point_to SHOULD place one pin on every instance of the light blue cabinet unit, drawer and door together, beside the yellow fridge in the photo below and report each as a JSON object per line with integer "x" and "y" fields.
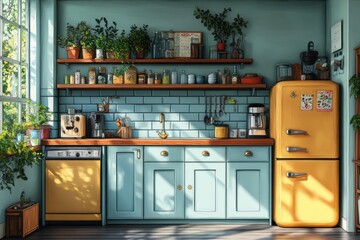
{"x": 248, "y": 182}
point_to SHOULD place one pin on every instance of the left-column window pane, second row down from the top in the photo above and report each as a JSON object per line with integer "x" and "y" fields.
{"x": 10, "y": 41}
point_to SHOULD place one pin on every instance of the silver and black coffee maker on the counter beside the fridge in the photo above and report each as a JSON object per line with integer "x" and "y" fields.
{"x": 256, "y": 121}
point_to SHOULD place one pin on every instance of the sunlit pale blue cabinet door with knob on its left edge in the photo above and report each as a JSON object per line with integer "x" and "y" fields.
{"x": 205, "y": 190}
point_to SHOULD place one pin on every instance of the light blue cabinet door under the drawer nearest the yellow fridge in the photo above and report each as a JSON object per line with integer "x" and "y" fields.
{"x": 248, "y": 191}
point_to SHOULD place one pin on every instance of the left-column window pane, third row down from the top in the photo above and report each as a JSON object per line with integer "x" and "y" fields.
{"x": 10, "y": 79}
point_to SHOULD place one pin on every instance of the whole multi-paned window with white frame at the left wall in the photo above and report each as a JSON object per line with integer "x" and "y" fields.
{"x": 14, "y": 60}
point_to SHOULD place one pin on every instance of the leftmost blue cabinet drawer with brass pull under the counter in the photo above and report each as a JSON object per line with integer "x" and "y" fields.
{"x": 163, "y": 154}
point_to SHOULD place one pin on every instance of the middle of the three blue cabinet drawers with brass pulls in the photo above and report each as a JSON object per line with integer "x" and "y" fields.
{"x": 204, "y": 154}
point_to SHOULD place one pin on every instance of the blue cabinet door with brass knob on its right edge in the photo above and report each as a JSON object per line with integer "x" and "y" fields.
{"x": 164, "y": 193}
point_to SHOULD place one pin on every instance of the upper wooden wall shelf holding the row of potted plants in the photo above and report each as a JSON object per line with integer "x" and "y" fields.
{"x": 156, "y": 61}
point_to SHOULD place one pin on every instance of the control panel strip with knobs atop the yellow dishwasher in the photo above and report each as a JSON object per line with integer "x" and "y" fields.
{"x": 73, "y": 153}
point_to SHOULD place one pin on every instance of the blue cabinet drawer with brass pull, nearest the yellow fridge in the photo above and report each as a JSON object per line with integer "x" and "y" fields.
{"x": 248, "y": 153}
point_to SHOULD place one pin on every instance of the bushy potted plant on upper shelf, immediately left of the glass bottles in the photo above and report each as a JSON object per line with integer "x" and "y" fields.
{"x": 140, "y": 40}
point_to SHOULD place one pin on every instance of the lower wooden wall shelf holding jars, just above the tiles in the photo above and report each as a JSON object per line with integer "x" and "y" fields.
{"x": 162, "y": 86}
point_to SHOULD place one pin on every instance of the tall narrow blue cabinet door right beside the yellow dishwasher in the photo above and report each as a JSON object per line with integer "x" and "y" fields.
{"x": 125, "y": 182}
